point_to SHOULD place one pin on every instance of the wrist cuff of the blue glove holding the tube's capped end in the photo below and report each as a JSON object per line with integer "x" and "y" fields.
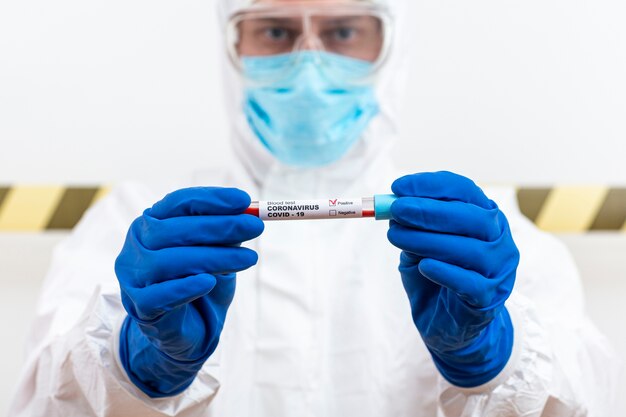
{"x": 482, "y": 360}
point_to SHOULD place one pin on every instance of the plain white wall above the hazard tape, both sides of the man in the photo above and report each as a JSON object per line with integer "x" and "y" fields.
{"x": 525, "y": 92}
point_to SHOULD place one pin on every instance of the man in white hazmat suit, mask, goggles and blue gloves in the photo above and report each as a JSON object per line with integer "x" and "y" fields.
{"x": 196, "y": 316}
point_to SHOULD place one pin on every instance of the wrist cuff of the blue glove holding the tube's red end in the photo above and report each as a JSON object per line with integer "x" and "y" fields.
{"x": 152, "y": 371}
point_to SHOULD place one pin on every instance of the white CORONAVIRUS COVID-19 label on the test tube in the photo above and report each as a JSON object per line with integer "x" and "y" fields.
{"x": 338, "y": 208}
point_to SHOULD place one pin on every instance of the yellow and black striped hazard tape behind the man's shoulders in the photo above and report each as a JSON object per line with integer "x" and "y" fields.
{"x": 559, "y": 209}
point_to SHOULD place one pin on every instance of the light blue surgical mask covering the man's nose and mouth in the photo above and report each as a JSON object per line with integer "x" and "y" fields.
{"x": 312, "y": 114}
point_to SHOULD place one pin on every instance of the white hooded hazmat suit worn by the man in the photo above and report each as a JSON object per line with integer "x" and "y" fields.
{"x": 321, "y": 326}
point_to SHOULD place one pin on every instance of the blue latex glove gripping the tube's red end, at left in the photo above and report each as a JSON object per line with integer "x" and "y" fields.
{"x": 177, "y": 277}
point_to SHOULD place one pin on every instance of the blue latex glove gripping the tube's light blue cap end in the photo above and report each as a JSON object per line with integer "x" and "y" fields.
{"x": 458, "y": 267}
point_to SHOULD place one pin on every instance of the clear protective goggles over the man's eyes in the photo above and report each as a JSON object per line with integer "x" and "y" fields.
{"x": 358, "y": 31}
